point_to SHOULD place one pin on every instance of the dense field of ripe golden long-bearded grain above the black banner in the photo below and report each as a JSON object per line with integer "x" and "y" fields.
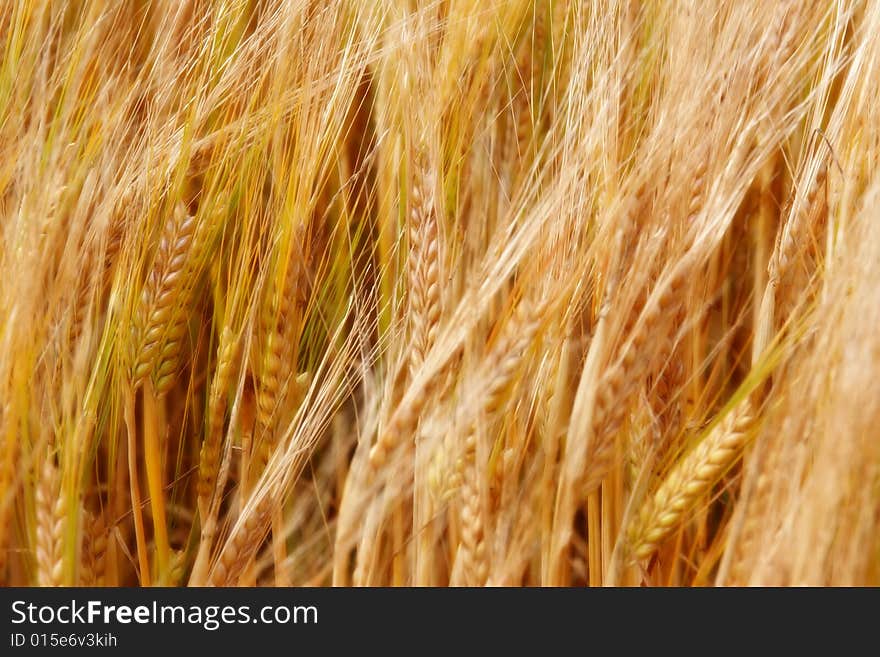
{"x": 439, "y": 292}
